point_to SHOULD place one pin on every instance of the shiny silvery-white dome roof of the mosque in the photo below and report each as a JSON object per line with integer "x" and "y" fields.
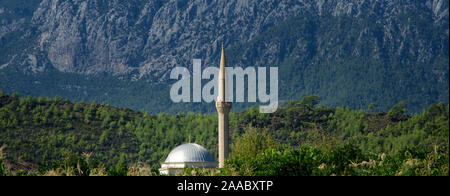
{"x": 189, "y": 152}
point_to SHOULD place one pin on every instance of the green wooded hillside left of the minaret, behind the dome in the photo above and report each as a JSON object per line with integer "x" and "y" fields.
{"x": 37, "y": 131}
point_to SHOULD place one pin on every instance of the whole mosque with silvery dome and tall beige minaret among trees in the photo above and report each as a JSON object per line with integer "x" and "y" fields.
{"x": 194, "y": 155}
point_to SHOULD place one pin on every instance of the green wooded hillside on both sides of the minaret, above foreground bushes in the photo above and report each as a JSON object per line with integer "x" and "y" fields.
{"x": 39, "y": 133}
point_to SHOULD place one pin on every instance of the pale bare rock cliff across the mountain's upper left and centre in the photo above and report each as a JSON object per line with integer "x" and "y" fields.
{"x": 148, "y": 38}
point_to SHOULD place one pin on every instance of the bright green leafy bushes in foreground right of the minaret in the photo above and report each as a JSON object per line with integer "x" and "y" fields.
{"x": 347, "y": 159}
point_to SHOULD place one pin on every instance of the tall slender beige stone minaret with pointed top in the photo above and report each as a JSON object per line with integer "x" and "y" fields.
{"x": 223, "y": 109}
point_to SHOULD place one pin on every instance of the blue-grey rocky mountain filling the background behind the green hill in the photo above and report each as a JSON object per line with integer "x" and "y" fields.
{"x": 121, "y": 52}
